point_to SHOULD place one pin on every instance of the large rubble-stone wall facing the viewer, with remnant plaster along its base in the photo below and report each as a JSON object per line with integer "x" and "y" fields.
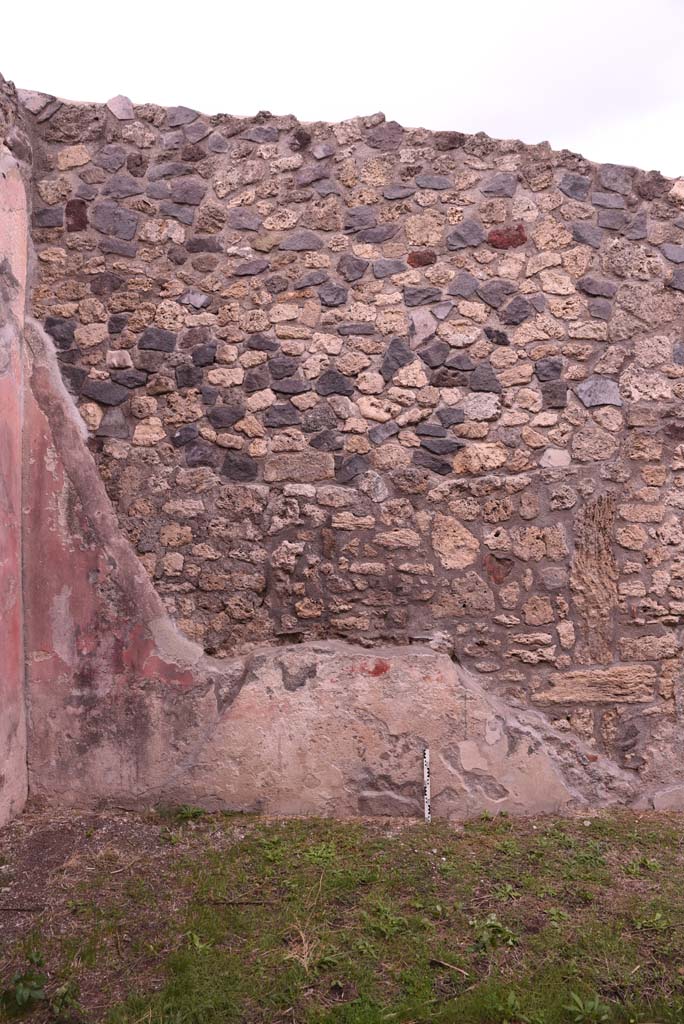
{"x": 363, "y": 386}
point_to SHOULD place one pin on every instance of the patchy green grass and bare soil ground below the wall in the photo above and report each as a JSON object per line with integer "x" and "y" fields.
{"x": 191, "y": 918}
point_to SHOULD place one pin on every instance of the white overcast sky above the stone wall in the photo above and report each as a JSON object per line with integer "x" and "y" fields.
{"x": 605, "y": 78}
